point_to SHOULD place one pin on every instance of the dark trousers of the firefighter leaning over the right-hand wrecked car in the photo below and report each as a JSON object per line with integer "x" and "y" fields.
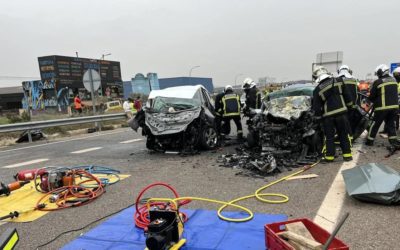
{"x": 332, "y": 125}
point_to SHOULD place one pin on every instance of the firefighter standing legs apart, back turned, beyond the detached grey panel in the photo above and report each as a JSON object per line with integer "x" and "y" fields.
{"x": 384, "y": 95}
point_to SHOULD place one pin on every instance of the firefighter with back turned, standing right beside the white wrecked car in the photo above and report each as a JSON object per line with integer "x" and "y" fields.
{"x": 231, "y": 109}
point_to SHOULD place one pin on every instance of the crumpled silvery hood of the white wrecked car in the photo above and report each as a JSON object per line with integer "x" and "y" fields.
{"x": 170, "y": 122}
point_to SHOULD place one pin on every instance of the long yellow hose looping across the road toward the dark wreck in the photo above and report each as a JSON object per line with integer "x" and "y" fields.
{"x": 258, "y": 195}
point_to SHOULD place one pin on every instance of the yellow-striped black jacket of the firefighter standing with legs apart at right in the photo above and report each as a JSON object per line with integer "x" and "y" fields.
{"x": 384, "y": 94}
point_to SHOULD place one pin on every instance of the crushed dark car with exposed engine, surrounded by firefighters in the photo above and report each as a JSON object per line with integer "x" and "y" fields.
{"x": 286, "y": 127}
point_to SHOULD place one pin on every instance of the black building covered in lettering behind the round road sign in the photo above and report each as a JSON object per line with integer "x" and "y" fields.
{"x": 67, "y": 72}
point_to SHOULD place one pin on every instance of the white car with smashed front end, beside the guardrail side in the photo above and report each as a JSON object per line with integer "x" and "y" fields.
{"x": 178, "y": 119}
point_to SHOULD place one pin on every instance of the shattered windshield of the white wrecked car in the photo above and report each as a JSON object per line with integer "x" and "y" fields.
{"x": 171, "y": 104}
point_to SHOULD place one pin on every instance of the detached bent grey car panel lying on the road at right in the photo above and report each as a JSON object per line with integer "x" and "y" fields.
{"x": 373, "y": 183}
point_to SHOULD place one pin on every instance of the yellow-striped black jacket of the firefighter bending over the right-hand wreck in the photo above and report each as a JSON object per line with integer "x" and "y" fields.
{"x": 330, "y": 98}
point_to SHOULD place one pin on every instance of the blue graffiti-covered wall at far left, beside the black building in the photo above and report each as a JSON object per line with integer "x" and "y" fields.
{"x": 40, "y": 95}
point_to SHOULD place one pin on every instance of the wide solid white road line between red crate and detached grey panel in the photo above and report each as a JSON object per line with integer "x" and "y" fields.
{"x": 328, "y": 213}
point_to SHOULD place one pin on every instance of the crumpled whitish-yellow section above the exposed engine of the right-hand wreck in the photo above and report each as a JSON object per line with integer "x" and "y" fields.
{"x": 288, "y": 108}
